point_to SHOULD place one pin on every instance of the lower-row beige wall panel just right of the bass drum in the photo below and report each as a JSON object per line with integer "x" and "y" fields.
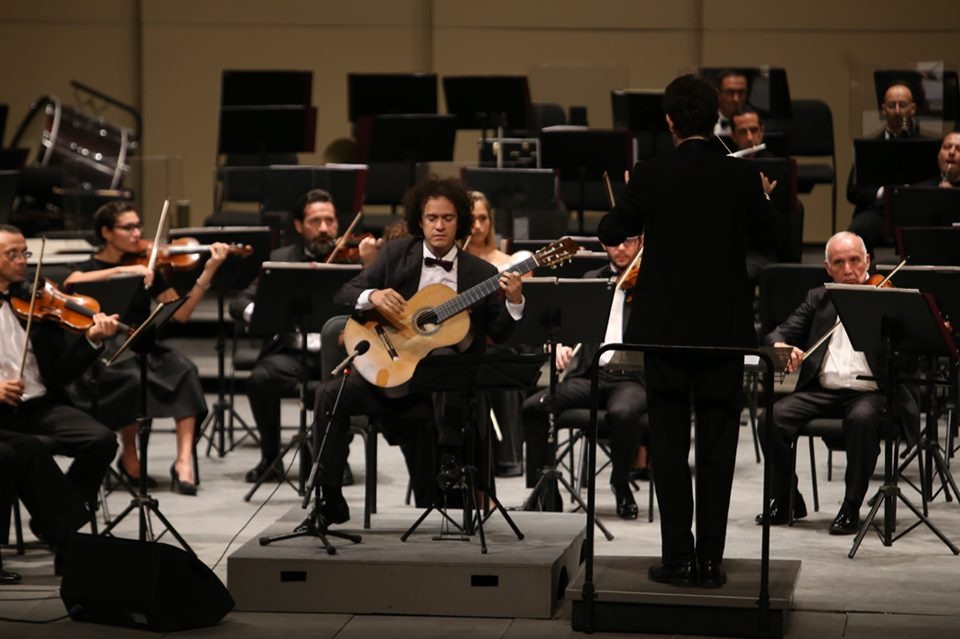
{"x": 182, "y": 67}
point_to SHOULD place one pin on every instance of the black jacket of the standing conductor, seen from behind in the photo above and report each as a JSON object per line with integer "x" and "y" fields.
{"x": 700, "y": 211}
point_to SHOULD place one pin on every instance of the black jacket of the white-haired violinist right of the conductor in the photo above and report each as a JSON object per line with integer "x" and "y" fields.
{"x": 812, "y": 319}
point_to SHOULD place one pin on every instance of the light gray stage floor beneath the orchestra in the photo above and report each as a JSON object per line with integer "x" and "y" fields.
{"x": 909, "y": 589}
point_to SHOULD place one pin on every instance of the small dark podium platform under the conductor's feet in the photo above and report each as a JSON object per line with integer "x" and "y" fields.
{"x": 627, "y": 601}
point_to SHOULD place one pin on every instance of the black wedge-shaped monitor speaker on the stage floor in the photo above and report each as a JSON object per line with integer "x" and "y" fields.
{"x": 152, "y": 586}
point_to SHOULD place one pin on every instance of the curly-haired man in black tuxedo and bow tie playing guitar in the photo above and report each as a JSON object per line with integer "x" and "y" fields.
{"x": 437, "y": 213}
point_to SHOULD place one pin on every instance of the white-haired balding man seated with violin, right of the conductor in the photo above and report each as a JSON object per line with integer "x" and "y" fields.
{"x": 828, "y": 387}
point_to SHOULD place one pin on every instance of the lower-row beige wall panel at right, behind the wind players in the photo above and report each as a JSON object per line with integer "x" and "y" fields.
{"x": 820, "y": 65}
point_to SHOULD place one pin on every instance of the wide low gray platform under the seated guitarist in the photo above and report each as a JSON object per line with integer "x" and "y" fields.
{"x": 422, "y": 576}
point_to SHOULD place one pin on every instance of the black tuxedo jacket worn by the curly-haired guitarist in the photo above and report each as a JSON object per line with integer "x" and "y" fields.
{"x": 398, "y": 266}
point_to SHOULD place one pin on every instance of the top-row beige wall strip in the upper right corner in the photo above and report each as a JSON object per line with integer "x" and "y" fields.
{"x": 832, "y": 15}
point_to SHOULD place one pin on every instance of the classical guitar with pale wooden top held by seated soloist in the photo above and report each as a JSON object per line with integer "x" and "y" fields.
{"x": 435, "y": 317}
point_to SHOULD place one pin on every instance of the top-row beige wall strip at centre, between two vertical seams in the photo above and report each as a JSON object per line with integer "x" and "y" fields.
{"x": 566, "y": 14}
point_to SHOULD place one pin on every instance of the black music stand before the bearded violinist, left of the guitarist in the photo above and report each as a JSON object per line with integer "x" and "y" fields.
{"x": 296, "y": 297}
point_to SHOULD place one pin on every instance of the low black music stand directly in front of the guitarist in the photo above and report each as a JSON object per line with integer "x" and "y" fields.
{"x": 467, "y": 374}
